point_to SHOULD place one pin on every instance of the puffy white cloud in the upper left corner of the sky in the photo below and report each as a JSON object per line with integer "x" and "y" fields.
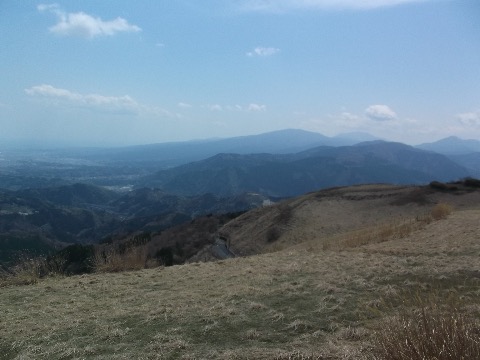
{"x": 84, "y": 25}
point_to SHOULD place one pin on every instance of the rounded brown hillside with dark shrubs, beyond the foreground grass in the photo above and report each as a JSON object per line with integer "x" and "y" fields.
{"x": 318, "y": 216}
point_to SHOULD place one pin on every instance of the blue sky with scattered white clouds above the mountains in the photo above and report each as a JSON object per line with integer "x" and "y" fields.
{"x": 134, "y": 72}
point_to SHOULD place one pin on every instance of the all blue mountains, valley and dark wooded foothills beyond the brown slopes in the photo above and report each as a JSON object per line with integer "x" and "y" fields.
{"x": 53, "y": 197}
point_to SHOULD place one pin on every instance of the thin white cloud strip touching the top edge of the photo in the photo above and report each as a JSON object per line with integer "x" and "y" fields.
{"x": 286, "y": 5}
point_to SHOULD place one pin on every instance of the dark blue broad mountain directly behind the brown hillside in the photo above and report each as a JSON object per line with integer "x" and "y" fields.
{"x": 284, "y": 175}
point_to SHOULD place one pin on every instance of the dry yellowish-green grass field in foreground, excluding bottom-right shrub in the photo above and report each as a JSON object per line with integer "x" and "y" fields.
{"x": 308, "y": 302}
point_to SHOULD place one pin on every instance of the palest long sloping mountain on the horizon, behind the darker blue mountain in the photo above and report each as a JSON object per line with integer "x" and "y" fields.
{"x": 164, "y": 155}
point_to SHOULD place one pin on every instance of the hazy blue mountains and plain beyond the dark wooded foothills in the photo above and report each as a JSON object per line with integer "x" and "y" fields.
{"x": 280, "y": 163}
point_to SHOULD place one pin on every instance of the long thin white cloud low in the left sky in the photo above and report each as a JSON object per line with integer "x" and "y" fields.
{"x": 115, "y": 104}
